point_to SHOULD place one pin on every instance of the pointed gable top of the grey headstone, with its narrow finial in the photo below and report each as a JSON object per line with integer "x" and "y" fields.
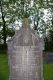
{"x": 25, "y": 36}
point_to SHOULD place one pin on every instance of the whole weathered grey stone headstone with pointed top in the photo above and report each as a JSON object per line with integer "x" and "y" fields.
{"x": 25, "y": 55}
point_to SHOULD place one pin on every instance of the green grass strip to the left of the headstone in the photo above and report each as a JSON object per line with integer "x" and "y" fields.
{"x": 3, "y": 67}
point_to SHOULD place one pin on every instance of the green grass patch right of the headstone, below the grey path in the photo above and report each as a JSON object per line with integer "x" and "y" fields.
{"x": 48, "y": 71}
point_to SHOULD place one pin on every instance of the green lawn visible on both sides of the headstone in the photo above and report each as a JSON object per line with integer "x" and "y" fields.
{"x": 4, "y": 68}
